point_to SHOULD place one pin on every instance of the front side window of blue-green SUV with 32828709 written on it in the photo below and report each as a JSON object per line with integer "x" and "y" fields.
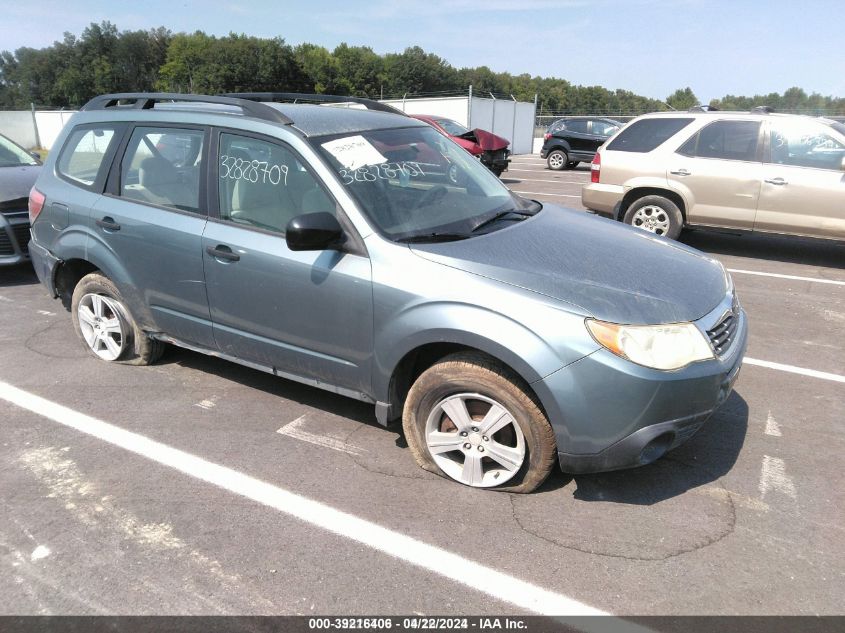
{"x": 263, "y": 185}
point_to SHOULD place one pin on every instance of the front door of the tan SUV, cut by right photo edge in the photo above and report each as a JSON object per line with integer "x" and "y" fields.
{"x": 803, "y": 184}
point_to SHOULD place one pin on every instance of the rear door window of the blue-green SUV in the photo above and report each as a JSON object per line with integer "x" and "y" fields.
{"x": 162, "y": 166}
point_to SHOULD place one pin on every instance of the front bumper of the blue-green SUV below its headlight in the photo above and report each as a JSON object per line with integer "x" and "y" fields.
{"x": 609, "y": 413}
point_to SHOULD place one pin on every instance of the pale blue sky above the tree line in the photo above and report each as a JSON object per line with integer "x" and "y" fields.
{"x": 651, "y": 47}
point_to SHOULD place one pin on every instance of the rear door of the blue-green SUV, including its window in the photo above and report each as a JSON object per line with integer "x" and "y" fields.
{"x": 148, "y": 229}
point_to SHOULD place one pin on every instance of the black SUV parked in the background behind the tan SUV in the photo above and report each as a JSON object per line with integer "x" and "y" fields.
{"x": 571, "y": 140}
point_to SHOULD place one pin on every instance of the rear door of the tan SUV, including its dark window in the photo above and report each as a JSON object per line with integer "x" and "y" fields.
{"x": 718, "y": 172}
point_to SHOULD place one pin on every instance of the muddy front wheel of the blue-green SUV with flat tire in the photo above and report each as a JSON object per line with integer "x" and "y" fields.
{"x": 468, "y": 419}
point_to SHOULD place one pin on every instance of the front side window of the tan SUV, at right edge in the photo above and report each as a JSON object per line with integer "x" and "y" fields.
{"x": 803, "y": 144}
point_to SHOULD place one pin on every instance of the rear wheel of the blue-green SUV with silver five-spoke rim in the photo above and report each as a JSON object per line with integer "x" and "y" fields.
{"x": 103, "y": 322}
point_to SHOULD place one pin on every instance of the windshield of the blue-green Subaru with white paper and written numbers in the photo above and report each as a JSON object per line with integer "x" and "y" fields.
{"x": 414, "y": 183}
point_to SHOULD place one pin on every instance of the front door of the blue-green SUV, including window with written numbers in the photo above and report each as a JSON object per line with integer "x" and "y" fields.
{"x": 305, "y": 314}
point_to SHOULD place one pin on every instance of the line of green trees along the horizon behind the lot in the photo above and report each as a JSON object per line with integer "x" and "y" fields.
{"x": 105, "y": 60}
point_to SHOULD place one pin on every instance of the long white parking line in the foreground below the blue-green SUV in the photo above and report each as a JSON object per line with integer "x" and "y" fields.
{"x": 475, "y": 576}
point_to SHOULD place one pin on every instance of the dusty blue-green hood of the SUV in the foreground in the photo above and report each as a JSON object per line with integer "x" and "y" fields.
{"x": 602, "y": 268}
